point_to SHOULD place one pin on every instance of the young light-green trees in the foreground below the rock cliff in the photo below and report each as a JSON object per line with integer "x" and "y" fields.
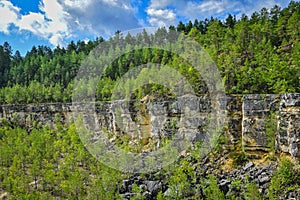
{"x": 52, "y": 163}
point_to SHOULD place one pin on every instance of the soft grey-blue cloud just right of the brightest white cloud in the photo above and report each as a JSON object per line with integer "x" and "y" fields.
{"x": 101, "y": 17}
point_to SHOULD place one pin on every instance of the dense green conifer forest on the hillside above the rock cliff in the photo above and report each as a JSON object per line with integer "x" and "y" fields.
{"x": 256, "y": 54}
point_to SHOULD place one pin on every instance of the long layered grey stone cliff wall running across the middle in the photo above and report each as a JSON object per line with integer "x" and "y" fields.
{"x": 245, "y": 117}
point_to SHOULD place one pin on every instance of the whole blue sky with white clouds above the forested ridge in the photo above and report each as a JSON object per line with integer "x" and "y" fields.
{"x": 24, "y": 23}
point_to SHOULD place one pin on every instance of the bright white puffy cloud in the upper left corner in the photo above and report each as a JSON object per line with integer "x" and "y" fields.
{"x": 50, "y": 23}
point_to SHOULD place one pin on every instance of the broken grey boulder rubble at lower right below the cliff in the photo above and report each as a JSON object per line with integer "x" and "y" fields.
{"x": 232, "y": 183}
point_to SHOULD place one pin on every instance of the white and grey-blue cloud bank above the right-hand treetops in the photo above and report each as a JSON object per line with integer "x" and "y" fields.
{"x": 201, "y": 9}
